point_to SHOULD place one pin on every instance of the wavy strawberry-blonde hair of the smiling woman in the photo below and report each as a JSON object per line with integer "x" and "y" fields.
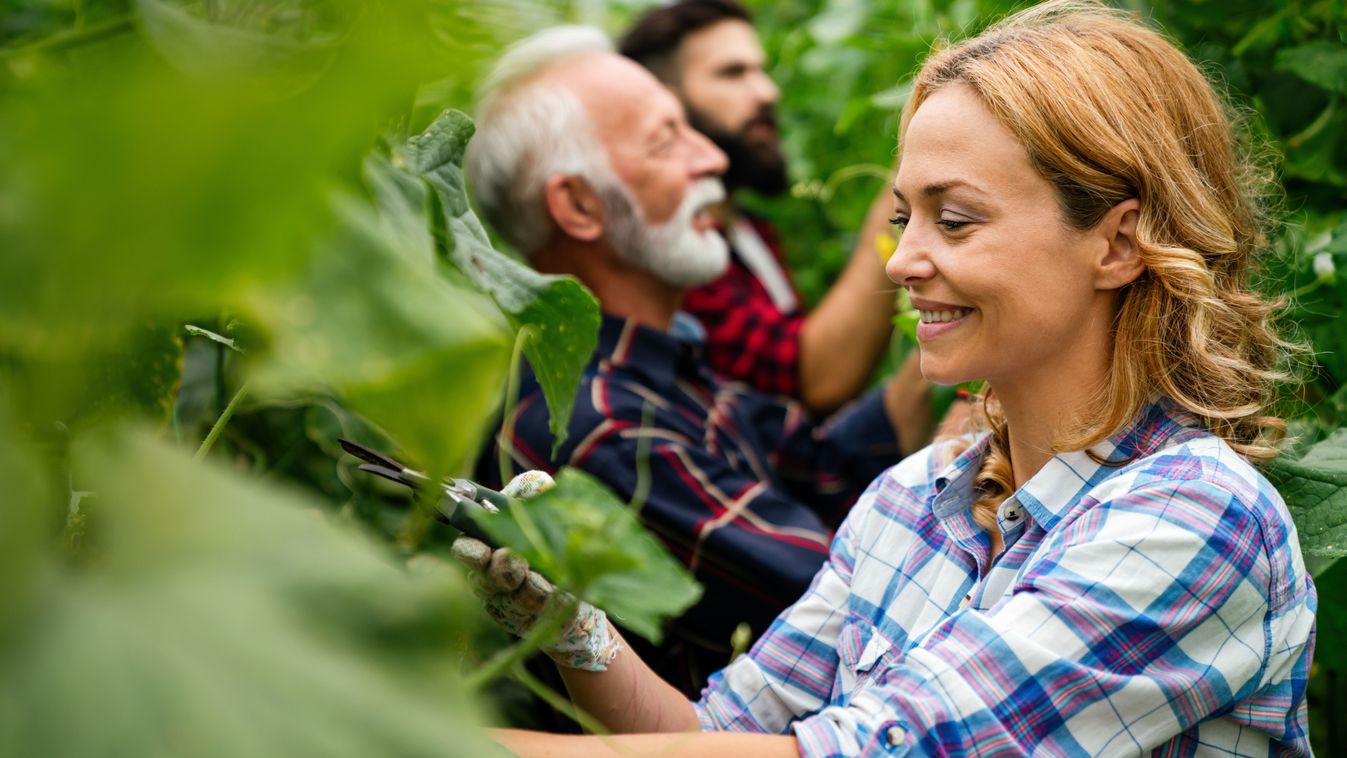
{"x": 1109, "y": 110}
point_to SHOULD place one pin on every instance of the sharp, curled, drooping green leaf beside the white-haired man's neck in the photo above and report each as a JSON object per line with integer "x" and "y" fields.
{"x": 564, "y": 316}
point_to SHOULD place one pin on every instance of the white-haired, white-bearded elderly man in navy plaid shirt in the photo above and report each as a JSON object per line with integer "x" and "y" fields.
{"x": 589, "y": 168}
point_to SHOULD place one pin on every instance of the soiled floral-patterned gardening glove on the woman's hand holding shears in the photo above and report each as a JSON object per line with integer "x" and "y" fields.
{"x": 515, "y": 597}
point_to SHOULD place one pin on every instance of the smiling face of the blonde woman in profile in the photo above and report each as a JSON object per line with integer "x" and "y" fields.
{"x": 1007, "y": 291}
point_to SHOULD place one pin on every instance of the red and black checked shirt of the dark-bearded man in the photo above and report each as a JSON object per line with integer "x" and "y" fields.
{"x": 748, "y": 339}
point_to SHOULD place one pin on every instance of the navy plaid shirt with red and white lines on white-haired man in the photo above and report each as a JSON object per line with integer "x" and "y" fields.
{"x": 744, "y": 488}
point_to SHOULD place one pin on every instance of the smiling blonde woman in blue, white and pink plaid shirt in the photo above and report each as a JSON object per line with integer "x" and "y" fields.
{"x": 1104, "y": 570}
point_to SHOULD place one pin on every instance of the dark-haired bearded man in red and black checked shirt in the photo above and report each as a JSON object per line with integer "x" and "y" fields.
{"x": 708, "y": 55}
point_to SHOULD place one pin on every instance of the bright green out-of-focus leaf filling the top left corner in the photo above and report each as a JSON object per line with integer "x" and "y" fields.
{"x": 161, "y": 170}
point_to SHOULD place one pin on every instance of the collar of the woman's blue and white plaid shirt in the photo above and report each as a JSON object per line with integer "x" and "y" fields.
{"x": 1067, "y": 476}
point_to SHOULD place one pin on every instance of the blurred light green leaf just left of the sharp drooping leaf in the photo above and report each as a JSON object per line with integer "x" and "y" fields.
{"x": 393, "y": 340}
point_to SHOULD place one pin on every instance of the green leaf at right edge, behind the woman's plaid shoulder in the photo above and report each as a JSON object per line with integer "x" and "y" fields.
{"x": 1315, "y": 489}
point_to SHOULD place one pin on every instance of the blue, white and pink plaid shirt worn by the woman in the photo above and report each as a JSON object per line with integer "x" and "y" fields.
{"x": 1158, "y": 607}
